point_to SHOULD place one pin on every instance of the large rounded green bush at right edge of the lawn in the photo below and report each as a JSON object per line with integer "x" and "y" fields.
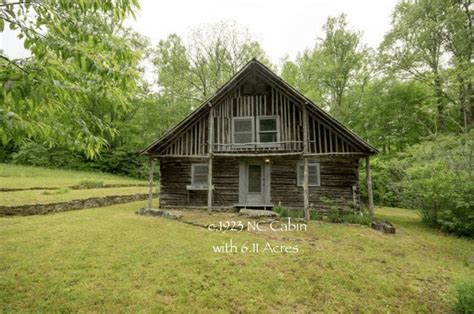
{"x": 438, "y": 182}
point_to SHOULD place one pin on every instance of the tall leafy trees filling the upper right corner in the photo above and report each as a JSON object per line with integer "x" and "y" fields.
{"x": 443, "y": 32}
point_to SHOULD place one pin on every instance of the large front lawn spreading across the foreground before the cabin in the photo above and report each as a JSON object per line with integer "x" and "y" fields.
{"x": 110, "y": 259}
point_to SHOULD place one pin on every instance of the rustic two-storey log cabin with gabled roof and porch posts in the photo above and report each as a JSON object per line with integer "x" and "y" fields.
{"x": 258, "y": 142}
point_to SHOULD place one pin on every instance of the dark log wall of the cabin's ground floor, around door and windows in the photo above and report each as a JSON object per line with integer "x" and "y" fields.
{"x": 338, "y": 176}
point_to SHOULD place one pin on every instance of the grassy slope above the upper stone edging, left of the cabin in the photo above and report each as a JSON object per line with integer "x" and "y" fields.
{"x": 16, "y": 176}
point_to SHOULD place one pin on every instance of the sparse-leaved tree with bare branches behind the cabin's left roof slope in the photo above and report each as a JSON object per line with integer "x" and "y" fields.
{"x": 194, "y": 71}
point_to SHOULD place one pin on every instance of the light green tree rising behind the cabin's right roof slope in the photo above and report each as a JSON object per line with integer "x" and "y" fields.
{"x": 336, "y": 66}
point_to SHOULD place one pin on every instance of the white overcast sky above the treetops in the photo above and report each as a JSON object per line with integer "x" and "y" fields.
{"x": 282, "y": 27}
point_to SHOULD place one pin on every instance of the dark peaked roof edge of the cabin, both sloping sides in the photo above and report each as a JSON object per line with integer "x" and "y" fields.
{"x": 256, "y": 65}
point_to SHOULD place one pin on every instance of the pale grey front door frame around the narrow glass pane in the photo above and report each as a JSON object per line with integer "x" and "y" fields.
{"x": 243, "y": 181}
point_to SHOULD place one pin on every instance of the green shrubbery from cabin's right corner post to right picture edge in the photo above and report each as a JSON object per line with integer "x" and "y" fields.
{"x": 434, "y": 177}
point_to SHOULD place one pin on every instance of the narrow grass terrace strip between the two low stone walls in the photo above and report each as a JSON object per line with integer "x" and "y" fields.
{"x": 61, "y": 195}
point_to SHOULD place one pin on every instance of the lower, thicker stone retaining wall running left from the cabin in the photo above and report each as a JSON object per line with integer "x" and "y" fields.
{"x": 41, "y": 209}
